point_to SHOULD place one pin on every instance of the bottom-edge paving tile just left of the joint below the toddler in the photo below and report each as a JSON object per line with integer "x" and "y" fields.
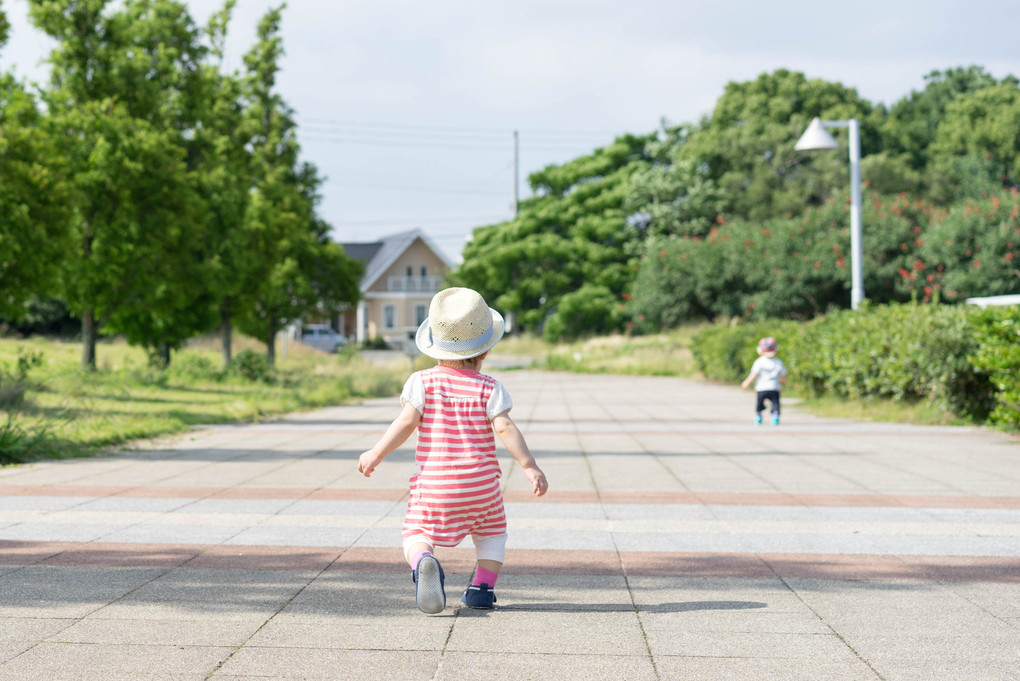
{"x": 331, "y": 664}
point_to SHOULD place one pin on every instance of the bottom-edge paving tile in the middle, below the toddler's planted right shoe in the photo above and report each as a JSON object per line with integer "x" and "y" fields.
{"x": 514, "y": 667}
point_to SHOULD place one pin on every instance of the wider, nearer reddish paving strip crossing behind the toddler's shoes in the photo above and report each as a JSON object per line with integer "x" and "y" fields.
{"x": 522, "y": 562}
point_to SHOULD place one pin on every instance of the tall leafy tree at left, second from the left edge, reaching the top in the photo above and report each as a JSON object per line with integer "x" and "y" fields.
{"x": 123, "y": 94}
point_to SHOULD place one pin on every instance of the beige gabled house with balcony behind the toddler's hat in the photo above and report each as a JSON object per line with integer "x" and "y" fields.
{"x": 402, "y": 274}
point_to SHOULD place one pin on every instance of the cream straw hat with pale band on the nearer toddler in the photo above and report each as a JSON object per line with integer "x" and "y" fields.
{"x": 460, "y": 327}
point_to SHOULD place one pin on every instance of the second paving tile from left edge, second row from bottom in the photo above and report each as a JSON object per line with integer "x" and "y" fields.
{"x": 201, "y": 633}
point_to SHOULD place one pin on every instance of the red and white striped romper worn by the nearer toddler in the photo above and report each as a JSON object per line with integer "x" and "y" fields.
{"x": 455, "y": 490}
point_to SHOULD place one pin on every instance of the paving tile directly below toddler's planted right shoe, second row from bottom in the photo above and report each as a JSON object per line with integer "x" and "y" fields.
{"x": 548, "y": 633}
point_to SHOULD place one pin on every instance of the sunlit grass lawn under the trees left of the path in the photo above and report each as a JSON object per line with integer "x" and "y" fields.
{"x": 52, "y": 407}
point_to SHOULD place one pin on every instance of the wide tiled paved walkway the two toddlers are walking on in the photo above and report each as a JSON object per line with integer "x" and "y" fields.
{"x": 679, "y": 542}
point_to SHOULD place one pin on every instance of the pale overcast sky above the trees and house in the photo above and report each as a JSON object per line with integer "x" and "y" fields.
{"x": 410, "y": 108}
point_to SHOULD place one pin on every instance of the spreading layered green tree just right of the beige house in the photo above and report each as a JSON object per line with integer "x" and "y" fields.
{"x": 572, "y": 234}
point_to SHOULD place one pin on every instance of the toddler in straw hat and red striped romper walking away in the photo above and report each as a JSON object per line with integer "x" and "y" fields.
{"x": 455, "y": 488}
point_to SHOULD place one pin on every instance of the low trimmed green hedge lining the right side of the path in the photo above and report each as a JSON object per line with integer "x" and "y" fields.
{"x": 961, "y": 359}
